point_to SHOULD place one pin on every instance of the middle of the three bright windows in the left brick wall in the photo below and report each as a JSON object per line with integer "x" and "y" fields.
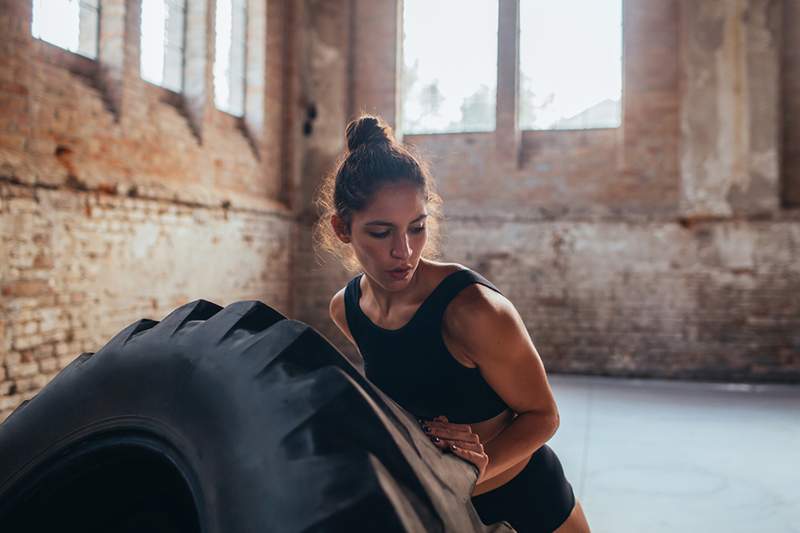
{"x": 162, "y": 42}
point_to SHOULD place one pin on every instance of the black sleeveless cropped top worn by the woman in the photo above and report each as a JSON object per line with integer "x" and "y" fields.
{"x": 412, "y": 364}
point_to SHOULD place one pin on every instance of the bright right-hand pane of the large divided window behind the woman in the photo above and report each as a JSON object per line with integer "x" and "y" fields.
{"x": 570, "y": 64}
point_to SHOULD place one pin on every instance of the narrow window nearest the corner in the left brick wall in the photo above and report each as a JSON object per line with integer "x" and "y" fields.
{"x": 229, "y": 77}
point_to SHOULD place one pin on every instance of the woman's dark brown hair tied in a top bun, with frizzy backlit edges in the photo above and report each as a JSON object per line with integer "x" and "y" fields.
{"x": 373, "y": 159}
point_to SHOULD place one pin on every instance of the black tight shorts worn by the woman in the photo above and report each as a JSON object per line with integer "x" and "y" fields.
{"x": 537, "y": 500}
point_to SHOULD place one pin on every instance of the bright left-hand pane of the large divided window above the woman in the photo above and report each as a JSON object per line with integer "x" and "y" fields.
{"x": 449, "y": 65}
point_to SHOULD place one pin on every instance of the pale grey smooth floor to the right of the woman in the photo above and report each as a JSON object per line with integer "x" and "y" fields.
{"x": 657, "y": 456}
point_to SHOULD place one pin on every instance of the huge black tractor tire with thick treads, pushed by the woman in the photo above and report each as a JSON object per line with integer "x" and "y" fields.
{"x": 224, "y": 420}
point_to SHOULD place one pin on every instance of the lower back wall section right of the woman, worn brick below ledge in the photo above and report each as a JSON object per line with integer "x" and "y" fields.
{"x": 716, "y": 301}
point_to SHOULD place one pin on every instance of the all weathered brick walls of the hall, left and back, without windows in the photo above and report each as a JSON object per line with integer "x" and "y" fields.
{"x": 668, "y": 247}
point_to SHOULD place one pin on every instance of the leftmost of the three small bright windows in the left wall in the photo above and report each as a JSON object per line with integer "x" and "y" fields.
{"x": 69, "y": 24}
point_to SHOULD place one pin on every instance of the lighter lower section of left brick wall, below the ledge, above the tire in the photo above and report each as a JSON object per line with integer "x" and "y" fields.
{"x": 81, "y": 266}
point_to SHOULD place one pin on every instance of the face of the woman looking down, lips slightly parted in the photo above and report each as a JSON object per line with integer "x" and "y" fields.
{"x": 390, "y": 233}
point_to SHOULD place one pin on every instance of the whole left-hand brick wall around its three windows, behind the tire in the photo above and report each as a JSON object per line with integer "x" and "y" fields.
{"x": 120, "y": 200}
